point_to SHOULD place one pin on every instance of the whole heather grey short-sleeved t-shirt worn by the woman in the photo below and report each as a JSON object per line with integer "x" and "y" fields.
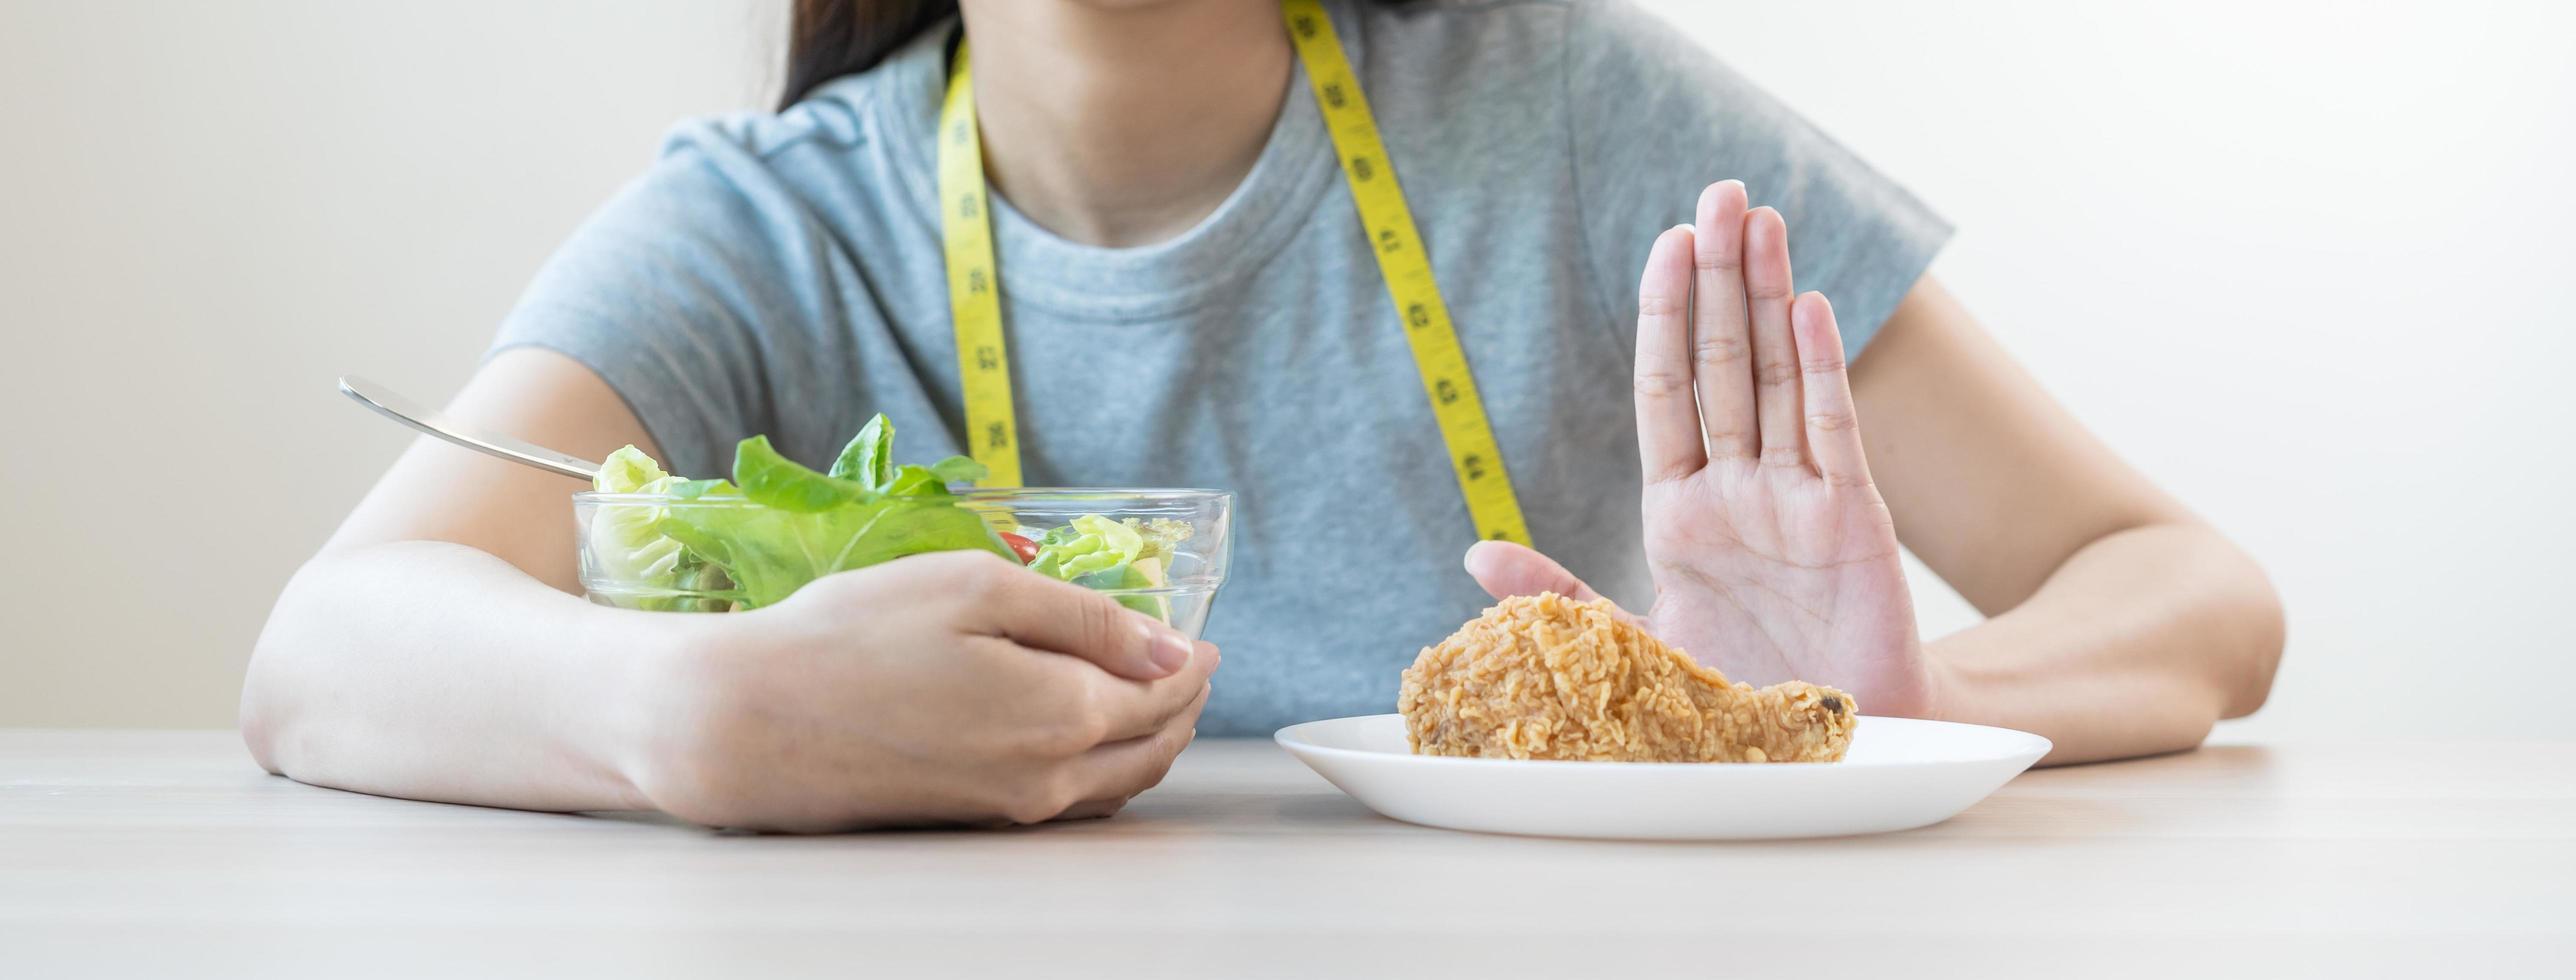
{"x": 782, "y": 275}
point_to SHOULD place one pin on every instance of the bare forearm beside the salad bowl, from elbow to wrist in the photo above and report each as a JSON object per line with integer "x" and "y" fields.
{"x": 437, "y": 672}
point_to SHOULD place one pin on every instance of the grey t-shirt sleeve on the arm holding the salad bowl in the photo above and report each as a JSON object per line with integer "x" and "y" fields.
{"x": 674, "y": 295}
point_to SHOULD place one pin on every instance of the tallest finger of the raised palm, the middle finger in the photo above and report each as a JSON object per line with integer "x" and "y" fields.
{"x": 1722, "y": 337}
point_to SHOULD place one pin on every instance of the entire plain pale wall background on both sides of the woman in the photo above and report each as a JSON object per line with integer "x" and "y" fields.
{"x": 2307, "y": 264}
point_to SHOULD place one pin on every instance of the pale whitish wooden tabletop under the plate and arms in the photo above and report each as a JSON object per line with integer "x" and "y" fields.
{"x": 174, "y": 855}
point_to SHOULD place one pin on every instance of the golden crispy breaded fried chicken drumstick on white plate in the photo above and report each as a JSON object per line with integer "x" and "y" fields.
{"x": 1547, "y": 677}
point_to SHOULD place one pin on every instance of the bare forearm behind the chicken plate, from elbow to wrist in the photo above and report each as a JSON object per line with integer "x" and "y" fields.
{"x": 2134, "y": 646}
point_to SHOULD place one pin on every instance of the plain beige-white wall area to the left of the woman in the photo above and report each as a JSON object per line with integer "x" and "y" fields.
{"x": 213, "y": 210}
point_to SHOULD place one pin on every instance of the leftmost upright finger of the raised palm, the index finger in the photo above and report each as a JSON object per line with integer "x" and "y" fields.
{"x": 1668, "y": 424}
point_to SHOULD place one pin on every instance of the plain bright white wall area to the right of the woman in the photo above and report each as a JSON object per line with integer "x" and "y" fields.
{"x": 2307, "y": 264}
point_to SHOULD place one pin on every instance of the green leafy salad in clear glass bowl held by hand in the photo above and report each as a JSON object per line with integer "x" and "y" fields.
{"x": 656, "y": 540}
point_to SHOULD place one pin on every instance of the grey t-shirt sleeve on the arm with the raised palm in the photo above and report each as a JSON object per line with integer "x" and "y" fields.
{"x": 1655, "y": 120}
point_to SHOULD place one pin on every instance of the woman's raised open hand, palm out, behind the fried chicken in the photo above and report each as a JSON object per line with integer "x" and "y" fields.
{"x": 1774, "y": 553}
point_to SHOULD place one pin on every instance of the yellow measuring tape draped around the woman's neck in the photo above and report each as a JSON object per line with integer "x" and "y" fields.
{"x": 1390, "y": 223}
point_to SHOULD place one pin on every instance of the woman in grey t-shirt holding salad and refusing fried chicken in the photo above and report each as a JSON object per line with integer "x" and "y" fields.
{"x": 1191, "y": 298}
